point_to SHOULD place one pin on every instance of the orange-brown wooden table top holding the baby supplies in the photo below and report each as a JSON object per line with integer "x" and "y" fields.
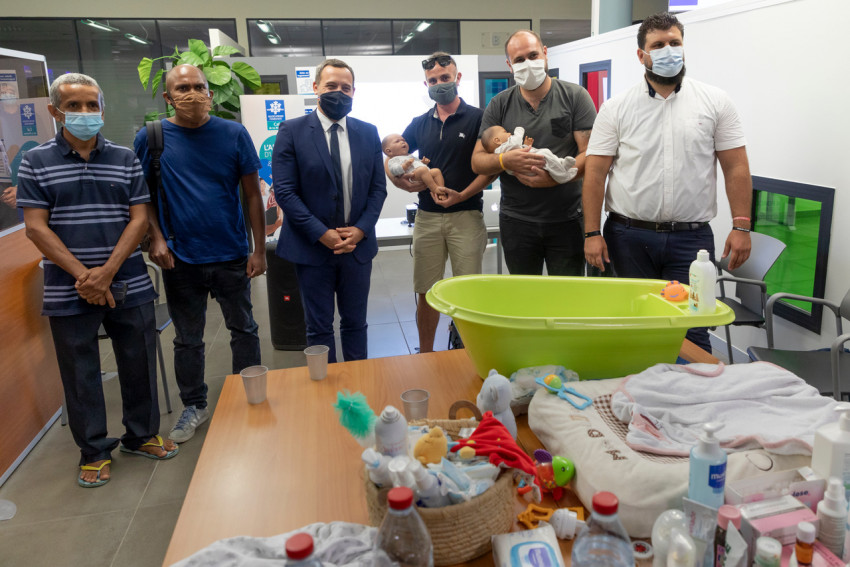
{"x": 274, "y": 467}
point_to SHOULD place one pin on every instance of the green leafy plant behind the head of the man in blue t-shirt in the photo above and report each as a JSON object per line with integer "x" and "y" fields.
{"x": 224, "y": 79}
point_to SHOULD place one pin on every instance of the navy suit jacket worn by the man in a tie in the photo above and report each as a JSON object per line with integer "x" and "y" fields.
{"x": 305, "y": 190}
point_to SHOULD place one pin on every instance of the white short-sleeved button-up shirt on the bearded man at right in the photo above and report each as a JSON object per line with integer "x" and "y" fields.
{"x": 665, "y": 168}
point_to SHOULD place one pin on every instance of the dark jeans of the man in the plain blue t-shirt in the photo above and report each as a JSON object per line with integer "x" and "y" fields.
{"x": 187, "y": 287}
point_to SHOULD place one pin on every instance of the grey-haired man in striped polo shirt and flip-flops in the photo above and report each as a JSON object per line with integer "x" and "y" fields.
{"x": 83, "y": 199}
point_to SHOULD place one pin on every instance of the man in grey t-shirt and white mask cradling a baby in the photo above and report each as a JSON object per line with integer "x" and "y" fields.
{"x": 539, "y": 219}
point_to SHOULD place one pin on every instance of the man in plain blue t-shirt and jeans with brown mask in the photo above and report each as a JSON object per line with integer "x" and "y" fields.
{"x": 198, "y": 233}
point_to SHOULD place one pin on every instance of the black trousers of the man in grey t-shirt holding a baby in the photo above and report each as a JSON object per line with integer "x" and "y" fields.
{"x": 528, "y": 245}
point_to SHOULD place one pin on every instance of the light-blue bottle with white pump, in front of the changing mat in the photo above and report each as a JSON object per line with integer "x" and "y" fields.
{"x": 707, "y": 479}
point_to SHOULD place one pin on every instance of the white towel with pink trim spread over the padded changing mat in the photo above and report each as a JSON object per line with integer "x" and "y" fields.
{"x": 759, "y": 405}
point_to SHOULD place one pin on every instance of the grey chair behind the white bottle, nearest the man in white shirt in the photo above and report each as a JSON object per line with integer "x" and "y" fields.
{"x": 750, "y": 288}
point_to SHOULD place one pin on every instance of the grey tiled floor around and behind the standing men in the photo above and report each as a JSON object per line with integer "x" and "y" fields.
{"x": 128, "y": 522}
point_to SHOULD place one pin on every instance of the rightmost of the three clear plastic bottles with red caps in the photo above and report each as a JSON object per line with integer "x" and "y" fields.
{"x": 604, "y": 542}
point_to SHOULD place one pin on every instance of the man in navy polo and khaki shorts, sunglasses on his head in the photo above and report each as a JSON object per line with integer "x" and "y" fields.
{"x": 452, "y": 227}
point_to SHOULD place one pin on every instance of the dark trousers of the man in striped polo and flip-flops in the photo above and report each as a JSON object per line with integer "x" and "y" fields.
{"x": 133, "y": 334}
